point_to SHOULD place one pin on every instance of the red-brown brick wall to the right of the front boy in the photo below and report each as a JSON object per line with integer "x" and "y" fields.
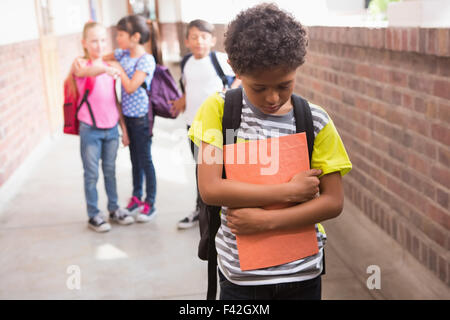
{"x": 388, "y": 92}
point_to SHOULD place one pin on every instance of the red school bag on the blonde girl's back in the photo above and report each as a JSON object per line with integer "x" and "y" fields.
{"x": 71, "y": 106}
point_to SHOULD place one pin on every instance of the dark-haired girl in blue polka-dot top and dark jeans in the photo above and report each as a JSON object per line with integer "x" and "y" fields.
{"x": 137, "y": 68}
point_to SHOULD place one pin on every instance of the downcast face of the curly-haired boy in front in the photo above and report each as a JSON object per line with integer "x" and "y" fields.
{"x": 270, "y": 90}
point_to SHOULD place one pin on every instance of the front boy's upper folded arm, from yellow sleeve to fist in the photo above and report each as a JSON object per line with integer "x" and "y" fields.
{"x": 234, "y": 194}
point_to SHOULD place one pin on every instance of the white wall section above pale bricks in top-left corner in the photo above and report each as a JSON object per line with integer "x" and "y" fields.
{"x": 17, "y": 21}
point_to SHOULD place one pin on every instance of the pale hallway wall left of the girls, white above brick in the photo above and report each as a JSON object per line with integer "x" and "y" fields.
{"x": 25, "y": 114}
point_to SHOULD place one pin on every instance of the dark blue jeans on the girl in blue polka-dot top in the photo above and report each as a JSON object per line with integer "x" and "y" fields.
{"x": 141, "y": 158}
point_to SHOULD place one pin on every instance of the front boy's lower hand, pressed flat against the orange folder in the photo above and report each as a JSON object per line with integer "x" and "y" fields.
{"x": 247, "y": 220}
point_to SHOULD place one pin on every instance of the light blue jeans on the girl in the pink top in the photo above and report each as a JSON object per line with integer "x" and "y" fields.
{"x": 96, "y": 144}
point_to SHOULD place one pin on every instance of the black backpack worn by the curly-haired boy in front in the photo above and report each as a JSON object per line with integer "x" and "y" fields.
{"x": 209, "y": 218}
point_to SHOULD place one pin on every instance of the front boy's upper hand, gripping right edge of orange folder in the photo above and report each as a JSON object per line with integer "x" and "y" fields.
{"x": 304, "y": 186}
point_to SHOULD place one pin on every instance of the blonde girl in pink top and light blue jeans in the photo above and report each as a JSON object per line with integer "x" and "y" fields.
{"x": 99, "y": 137}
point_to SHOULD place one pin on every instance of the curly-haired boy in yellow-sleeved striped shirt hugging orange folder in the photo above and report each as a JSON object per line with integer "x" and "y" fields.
{"x": 266, "y": 46}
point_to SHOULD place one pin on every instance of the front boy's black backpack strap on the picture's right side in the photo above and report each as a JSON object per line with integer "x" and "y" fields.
{"x": 303, "y": 121}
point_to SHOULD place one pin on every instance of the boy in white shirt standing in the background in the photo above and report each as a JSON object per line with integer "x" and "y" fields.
{"x": 200, "y": 81}
